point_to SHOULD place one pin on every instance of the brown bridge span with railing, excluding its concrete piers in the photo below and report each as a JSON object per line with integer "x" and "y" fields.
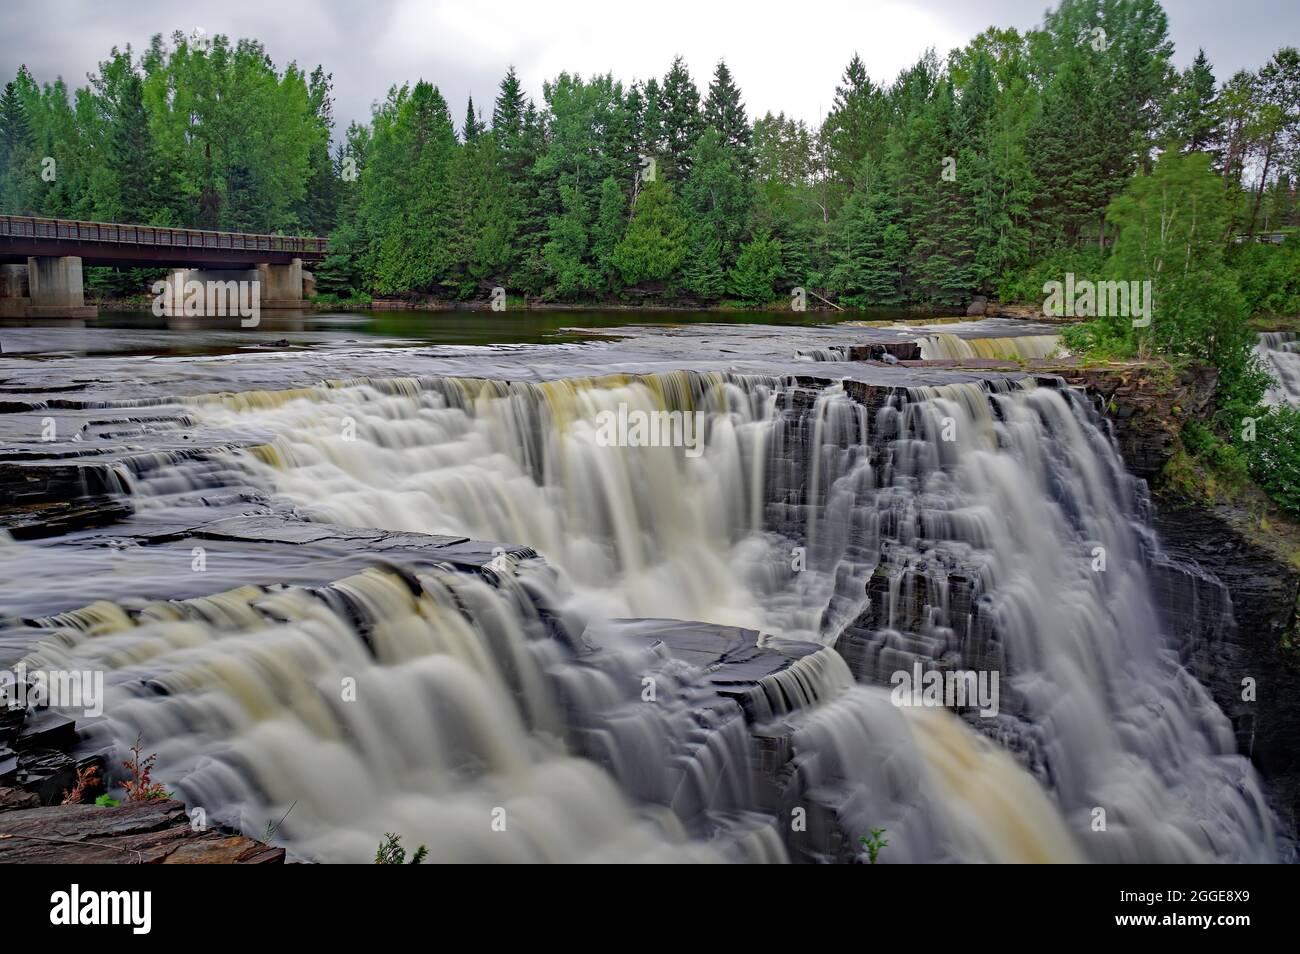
{"x": 111, "y": 244}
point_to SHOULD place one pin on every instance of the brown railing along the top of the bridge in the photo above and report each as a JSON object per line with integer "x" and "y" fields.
{"x": 73, "y": 231}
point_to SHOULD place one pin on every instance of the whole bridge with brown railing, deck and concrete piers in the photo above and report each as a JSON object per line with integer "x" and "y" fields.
{"x": 42, "y": 259}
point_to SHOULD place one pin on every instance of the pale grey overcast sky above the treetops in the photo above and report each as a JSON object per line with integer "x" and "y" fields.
{"x": 786, "y": 57}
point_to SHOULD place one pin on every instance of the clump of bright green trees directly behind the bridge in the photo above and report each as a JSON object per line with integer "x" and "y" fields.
{"x": 203, "y": 135}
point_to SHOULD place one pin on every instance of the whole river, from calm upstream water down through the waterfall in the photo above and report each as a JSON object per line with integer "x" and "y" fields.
{"x": 574, "y": 648}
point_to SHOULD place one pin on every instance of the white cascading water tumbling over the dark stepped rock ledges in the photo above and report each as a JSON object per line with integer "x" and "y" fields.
{"x": 955, "y": 527}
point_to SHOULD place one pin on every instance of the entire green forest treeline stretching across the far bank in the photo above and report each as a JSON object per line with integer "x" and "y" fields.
{"x": 970, "y": 175}
